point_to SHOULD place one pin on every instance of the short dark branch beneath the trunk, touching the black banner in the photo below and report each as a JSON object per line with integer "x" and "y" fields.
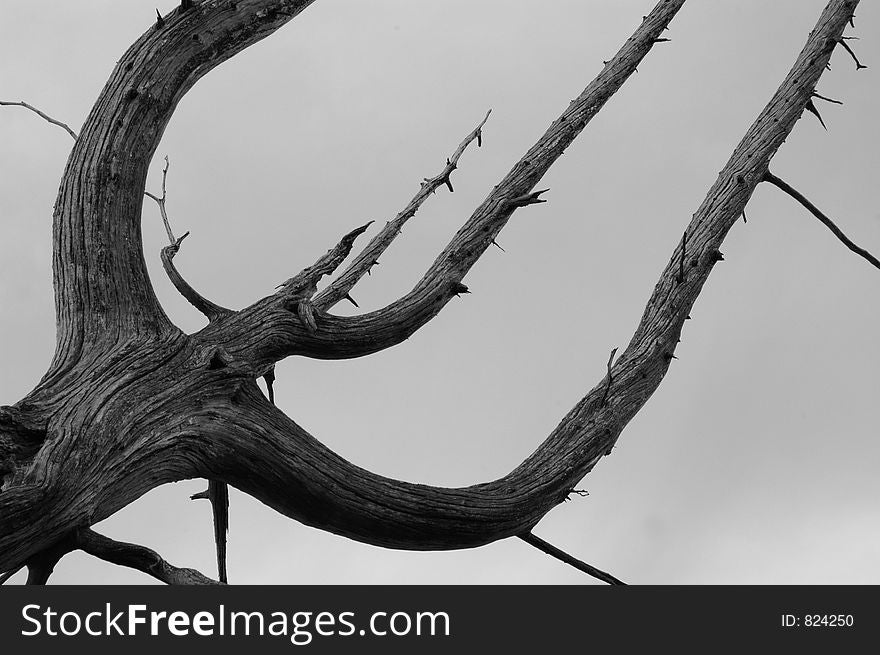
{"x": 138, "y": 557}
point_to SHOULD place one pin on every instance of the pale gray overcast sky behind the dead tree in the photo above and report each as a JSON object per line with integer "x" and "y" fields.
{"x": 755, "y": 462}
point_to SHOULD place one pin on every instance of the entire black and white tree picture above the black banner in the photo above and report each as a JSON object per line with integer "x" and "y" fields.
{"x": 475, "y": 293}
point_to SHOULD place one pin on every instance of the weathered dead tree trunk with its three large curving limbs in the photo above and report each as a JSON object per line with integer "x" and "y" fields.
{"x": 130, "y": 402}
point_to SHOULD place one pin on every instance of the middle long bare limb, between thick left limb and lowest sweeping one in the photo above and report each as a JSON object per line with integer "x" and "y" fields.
{"x": 344, "y": 337}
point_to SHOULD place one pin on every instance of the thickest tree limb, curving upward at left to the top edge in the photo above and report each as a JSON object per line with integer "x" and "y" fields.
{"x": 103, "y": 293}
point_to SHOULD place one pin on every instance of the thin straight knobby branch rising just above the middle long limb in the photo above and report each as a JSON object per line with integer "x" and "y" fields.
{"x": 369, "y": 256}
